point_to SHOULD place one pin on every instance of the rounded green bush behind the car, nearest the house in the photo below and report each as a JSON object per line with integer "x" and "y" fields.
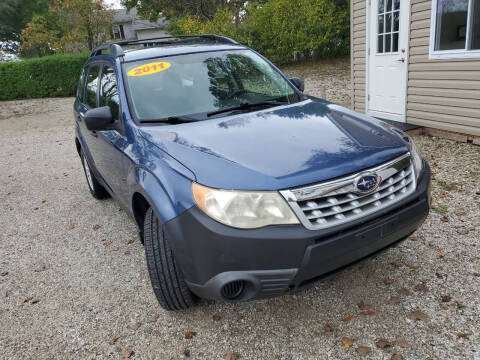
{"x": 287, "y": 30}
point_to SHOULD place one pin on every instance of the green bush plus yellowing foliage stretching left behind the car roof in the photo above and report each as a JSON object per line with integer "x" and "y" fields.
{"x": 283, "y": 30}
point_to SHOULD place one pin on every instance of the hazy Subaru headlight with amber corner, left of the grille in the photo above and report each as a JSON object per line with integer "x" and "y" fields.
{"x": 243, "y": 209}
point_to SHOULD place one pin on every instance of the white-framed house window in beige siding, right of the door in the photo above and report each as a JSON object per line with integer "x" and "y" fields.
{"x": 455, "y": 29}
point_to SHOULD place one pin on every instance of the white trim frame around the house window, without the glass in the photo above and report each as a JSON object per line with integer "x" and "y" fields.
{"x": 451, "y": 54}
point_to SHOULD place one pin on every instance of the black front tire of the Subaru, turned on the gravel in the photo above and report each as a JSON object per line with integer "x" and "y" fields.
{"x": 167, "y": 279}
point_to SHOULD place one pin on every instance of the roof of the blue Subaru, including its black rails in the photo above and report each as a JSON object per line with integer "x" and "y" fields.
{"x": 165, "y": 46}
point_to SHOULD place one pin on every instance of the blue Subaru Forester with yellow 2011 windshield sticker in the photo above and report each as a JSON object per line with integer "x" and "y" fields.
{"x": 241, "y": 185}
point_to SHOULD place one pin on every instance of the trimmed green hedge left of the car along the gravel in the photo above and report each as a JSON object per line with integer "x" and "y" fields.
{"x": 47, "y": 76}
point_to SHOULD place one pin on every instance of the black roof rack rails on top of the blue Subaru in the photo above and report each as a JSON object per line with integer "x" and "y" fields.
{"x": 117, "y": 51}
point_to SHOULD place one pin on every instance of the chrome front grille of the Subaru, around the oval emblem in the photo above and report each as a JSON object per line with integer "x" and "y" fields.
{"x": 336, "y": 202}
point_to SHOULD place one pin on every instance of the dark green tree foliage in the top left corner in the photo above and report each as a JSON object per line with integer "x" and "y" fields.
{"x": 15, "y": 14}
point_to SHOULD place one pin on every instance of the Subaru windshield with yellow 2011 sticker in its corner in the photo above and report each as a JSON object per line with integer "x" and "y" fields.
{"x": 198, "y": 84}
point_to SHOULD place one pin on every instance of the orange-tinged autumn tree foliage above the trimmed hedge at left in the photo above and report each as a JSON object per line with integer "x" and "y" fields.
{"x": 70, "y": 27}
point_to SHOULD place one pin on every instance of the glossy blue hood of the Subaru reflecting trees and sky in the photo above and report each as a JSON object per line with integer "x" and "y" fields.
{"x": 278, "y": 148}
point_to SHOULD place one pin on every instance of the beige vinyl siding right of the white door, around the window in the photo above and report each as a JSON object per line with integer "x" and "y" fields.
{"x": 442, "y": 94}
